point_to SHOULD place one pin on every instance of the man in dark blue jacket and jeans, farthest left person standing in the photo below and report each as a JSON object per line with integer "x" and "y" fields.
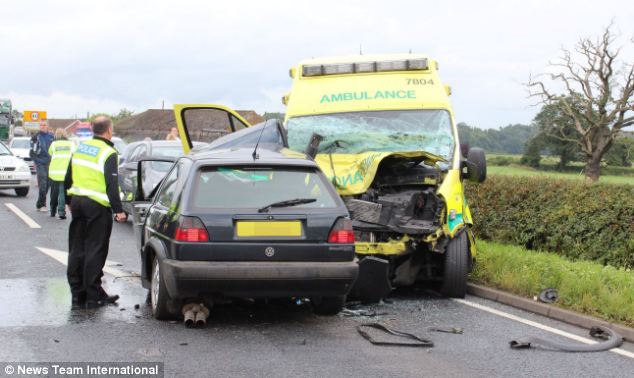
{"x": 40, "y": 143}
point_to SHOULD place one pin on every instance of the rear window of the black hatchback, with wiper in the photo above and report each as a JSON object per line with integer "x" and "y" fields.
{"x": 256, "y": 187}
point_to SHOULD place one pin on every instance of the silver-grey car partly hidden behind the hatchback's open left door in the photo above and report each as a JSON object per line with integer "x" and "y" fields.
{"x": 153, "y": 174}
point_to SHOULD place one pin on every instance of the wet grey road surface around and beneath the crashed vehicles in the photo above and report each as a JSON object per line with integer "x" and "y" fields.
{"x": 245, "y": 339}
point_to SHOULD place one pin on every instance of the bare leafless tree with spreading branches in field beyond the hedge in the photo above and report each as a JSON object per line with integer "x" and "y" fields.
{"x": 604, "y": 88}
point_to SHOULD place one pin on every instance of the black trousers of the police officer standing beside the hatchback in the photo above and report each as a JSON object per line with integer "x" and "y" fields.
{"x": 88, "y": 240}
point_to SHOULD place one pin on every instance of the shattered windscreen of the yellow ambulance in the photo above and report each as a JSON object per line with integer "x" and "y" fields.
{"x": 381, "y": 131}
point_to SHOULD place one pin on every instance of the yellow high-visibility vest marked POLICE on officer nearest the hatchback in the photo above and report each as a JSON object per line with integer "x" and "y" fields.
{"x": 88, "y": 165}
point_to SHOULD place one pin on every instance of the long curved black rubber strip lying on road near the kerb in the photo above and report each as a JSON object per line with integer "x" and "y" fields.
{"x": 612, "y": 340}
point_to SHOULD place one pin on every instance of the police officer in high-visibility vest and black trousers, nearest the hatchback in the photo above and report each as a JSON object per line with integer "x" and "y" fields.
{"x": 94, "y": 186}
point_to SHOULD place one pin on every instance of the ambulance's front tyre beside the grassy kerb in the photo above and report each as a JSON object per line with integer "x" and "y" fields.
{"x": 456, "y": 267}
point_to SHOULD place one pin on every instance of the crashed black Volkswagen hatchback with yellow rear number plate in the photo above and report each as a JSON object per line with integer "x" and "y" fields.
{"x": 242, "y": 223}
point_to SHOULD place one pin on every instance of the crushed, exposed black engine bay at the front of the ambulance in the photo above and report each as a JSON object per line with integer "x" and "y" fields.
{"x": 401, "y": 205}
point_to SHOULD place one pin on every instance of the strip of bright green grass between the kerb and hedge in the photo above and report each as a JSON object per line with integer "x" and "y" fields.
{"x": 586, "y": 287}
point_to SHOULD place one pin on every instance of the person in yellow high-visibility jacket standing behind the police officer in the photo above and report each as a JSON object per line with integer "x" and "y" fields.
{"x": 60, "y": 150}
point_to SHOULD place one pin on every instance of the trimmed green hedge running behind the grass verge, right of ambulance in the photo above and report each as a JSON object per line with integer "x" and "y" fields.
{"x": 590, "y": 222}
